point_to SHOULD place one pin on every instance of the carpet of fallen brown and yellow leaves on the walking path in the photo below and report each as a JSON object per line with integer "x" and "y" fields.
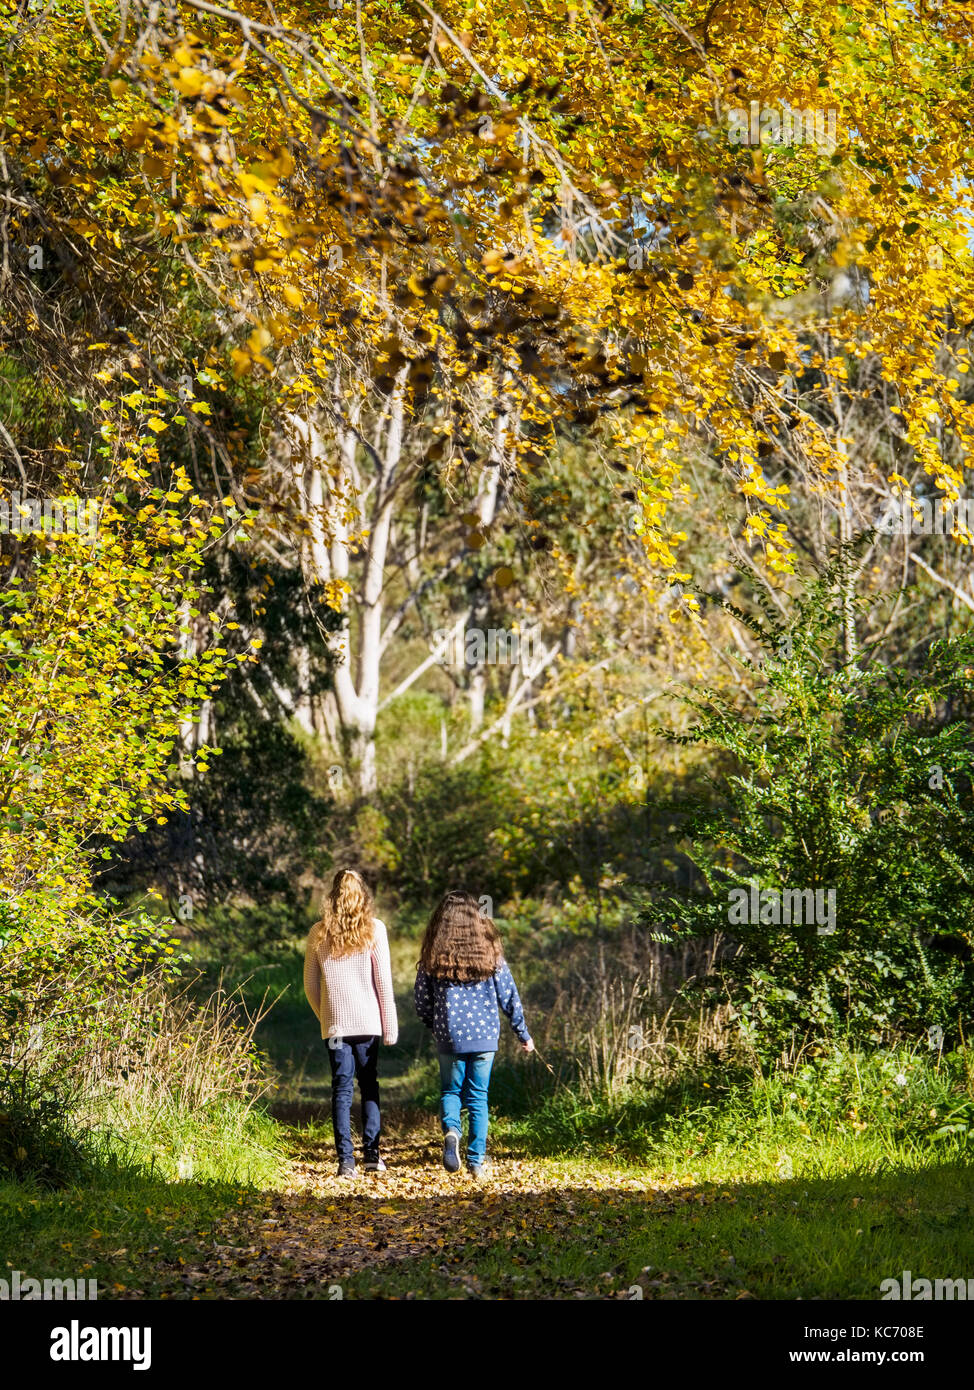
{"x": 317, "y": 1231}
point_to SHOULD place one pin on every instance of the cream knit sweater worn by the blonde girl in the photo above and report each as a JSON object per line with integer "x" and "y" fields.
{"x": 352, "y": 996}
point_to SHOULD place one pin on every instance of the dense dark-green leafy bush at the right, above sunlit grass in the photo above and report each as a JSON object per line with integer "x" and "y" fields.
{"x": 851, "y": 780}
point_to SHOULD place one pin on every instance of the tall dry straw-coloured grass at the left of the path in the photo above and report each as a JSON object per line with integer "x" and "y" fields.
{"x": 159, "y": 1074}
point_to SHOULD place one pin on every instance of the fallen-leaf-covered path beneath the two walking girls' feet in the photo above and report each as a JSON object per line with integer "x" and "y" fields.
{"x": 323, "y": 1236}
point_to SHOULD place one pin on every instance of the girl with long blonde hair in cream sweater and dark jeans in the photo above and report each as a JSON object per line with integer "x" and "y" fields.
{"x": 348, "y": 981}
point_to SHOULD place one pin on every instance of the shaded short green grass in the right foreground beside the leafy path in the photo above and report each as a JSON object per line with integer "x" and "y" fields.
{"x": 818, "y": 1238}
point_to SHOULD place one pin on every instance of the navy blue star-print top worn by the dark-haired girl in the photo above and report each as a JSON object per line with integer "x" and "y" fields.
{"x": 465, "y": 1017}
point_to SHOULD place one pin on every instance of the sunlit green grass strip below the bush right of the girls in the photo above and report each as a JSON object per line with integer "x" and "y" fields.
{"x": 895, "y": 1109}
